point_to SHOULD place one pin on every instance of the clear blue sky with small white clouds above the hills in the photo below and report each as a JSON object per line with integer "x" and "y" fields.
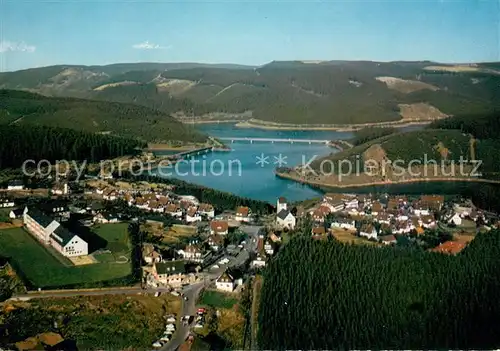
{"x": 40, "y": 33}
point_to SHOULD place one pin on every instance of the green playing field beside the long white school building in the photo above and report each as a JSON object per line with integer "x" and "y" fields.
{"x": 43, "y": 270}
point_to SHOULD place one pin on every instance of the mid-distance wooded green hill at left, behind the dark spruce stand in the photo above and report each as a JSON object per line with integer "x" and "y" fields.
{"x": 127, "y": 120}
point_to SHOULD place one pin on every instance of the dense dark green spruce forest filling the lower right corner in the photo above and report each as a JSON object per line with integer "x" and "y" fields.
{"x": 326, "y": 295}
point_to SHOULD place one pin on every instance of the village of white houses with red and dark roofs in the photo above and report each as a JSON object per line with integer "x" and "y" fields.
{"x": 187, "y": 243}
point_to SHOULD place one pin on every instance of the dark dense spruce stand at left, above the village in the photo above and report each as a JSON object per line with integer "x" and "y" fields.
{"x": 20, "y": 143}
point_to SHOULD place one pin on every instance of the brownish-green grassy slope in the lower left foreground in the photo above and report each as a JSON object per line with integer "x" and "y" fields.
{"x": 95, "y": 322}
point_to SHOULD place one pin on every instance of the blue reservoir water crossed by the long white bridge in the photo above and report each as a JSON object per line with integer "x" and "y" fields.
{"x": 240, "y": 173}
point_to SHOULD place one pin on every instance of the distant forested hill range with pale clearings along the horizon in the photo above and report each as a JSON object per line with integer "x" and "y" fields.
{"x": 297, "y": 92}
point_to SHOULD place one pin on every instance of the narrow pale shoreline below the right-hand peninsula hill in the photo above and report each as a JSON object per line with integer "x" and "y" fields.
{"x": 364, "y": 185}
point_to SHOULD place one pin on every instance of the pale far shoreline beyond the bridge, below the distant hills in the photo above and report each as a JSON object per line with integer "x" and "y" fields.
{"x": 337, "y": 128}
